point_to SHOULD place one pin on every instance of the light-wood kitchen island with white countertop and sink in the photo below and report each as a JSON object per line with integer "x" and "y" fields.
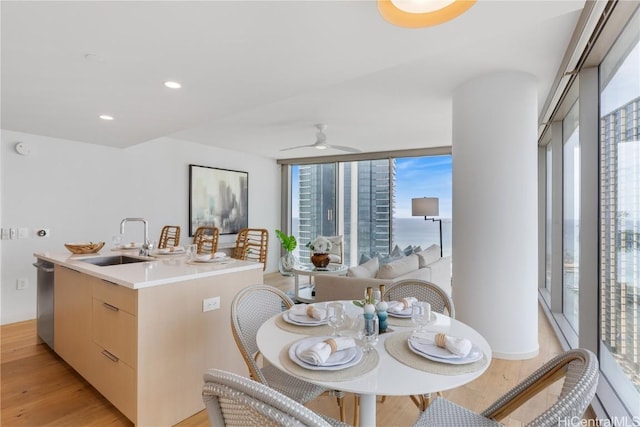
{"x": 138, "y": 331}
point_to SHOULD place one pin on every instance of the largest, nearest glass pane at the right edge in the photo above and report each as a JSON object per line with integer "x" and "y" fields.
{"x": 620, "y": 215}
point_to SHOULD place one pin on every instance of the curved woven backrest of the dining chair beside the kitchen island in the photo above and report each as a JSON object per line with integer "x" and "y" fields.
{"x": 250, "y": 308}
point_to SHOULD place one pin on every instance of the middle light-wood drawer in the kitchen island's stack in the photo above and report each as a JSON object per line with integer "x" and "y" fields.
{"x": 115, "y": 330}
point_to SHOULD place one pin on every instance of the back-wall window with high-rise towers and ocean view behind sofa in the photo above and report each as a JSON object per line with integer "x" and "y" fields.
{"x": 368, "y": 202}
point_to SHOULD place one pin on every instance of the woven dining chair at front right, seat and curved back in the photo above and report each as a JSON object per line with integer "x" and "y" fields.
{"x": 578, "y": 367}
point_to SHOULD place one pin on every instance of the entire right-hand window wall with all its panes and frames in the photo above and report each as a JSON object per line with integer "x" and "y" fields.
{"x": 595, "y": 296}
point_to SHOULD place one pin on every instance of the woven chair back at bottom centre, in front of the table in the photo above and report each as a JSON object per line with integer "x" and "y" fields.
{"x": 232, "y": 400}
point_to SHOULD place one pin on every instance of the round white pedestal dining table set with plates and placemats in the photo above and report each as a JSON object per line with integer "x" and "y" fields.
{"x": 390, "y": 377}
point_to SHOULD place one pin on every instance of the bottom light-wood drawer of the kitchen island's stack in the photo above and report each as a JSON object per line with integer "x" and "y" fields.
{"x": 115, "y": 380}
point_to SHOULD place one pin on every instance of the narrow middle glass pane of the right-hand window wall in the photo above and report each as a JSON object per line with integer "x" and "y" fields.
{"x": 571, "y": 217}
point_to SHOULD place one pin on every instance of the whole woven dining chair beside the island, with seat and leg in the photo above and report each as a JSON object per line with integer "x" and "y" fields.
{"x": 250, "y": 308}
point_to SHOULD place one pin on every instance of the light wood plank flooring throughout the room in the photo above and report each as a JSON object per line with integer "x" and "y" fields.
{"x": 40, "y": 389}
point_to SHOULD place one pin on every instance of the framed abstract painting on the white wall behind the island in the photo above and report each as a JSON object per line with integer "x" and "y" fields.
{"x": 219, "y": 198}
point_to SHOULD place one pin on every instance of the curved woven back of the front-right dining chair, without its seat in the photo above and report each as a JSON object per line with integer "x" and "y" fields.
{"x": 579, "y": 370}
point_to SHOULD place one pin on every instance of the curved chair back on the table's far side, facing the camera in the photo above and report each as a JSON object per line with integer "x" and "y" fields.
{"x": 424, "y": 291}
